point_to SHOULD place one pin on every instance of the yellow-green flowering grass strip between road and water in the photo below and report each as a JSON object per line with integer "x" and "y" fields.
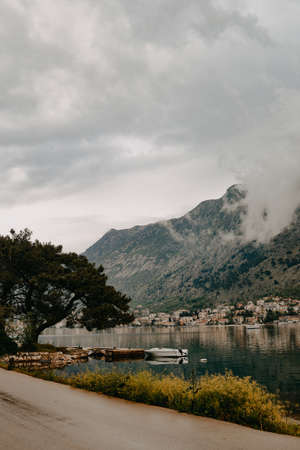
{"x": 223, "y": 397}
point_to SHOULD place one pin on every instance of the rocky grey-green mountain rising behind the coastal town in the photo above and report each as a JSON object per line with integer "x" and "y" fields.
{"x": 199, "y": 258}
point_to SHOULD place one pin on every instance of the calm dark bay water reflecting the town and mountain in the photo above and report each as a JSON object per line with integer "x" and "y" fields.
{"x": 270, "y": 355}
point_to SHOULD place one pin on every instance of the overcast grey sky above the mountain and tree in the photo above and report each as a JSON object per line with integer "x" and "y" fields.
{"x": 122, "y": 112}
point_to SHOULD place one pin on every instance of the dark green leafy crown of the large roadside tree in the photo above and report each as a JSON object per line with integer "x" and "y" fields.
{"x": 41, "y": 286}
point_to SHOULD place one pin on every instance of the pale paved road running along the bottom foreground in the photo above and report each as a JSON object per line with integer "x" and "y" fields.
{"x": 40, "y": 415}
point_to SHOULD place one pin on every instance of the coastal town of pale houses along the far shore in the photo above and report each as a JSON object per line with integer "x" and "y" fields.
{"x": 266, "y": 310}
